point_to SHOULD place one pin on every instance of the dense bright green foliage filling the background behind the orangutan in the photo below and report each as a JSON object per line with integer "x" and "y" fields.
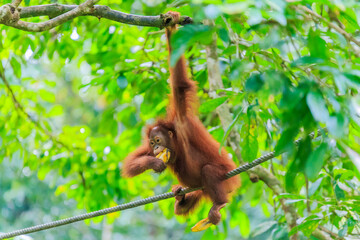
{"x": 81, "y": 94}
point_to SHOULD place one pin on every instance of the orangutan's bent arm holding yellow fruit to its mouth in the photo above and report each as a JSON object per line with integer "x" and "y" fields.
{"x": 141, "y": 160}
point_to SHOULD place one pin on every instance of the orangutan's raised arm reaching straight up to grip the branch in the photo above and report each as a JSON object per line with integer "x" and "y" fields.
{"x": 183, "y": 89}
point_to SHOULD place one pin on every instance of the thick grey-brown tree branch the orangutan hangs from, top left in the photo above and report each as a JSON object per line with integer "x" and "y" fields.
{"x": 10, "y": 16}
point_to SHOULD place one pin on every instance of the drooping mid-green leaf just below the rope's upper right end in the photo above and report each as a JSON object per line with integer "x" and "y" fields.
{"x": 315, "y": 161}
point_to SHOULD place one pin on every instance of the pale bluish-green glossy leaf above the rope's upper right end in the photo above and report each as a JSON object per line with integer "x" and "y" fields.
{"x": 317, "y": 106}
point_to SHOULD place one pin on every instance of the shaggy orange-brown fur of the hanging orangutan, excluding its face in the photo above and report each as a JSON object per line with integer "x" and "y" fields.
{"x": 197, "y": 162}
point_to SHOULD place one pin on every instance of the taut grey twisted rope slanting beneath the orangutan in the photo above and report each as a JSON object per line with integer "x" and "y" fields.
{"x": 136, "y": 203}
